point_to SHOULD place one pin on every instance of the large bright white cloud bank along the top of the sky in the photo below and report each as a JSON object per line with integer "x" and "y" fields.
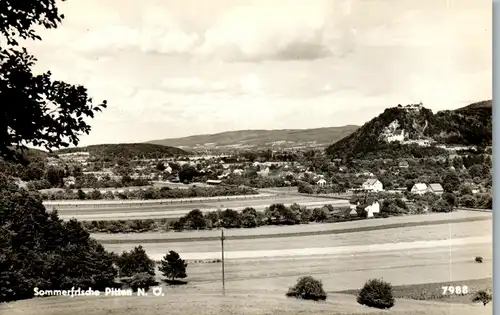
{"x": 258, "y": 30}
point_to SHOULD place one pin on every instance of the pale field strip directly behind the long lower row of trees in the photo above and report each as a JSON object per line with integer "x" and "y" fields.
{"x": 173, "y": 211}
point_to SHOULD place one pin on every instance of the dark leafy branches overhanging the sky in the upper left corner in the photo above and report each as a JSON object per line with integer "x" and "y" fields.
{"x": 37, "y": 110}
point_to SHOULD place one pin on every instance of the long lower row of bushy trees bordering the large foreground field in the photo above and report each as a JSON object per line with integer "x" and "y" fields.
{"x": 276, "y": 214}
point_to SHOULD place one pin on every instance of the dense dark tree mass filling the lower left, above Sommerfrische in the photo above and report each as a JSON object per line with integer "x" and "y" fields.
{"x": 37, "y": 249}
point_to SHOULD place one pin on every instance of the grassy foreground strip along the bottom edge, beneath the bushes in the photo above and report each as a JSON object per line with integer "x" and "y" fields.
{"x": 179, "y": 302}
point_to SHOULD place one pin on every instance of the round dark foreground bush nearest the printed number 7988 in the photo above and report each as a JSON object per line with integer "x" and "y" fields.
{"x": 376, "y": 293}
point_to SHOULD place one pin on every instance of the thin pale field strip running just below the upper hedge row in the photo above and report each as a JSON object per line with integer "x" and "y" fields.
{"x": 117, "y": 203}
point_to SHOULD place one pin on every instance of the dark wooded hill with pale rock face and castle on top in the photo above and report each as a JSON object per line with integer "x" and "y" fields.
{"x": 406, "y": 130}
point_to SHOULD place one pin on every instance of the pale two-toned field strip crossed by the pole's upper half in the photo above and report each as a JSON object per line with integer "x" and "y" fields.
{"x": 478, "y": 232}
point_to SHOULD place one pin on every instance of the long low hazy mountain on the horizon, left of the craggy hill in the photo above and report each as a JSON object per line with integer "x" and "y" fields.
{"x": 248, "y": 139}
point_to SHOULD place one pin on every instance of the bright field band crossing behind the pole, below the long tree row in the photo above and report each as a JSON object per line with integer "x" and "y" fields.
{"x": 431, "y": 233}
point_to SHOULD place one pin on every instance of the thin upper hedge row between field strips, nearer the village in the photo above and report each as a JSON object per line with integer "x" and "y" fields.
{"x": 150, "y": 193}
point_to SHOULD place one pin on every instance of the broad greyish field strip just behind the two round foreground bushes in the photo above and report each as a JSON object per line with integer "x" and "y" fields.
{"x": 450, "y": 265}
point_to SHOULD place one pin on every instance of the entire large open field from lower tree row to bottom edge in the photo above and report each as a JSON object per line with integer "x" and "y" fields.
{"x": 257, "y": 284}
